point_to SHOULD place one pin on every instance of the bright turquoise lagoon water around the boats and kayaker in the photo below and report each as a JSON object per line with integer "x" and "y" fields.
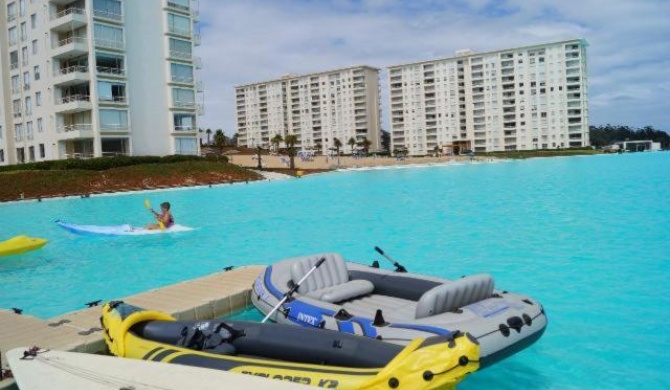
{"x": 586, "y": 236}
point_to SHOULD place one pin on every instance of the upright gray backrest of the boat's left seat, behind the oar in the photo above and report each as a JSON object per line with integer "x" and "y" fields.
{"x": 331, "y": 273}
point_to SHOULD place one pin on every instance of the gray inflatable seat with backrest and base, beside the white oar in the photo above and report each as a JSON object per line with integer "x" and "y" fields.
{"x": 330, "y": 282}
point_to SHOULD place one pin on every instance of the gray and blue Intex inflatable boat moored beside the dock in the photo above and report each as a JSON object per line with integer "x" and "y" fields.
{"x": 398, "y": 307}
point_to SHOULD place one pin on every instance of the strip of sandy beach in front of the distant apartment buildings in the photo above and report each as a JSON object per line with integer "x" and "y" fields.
{"x": 344, "y": 162}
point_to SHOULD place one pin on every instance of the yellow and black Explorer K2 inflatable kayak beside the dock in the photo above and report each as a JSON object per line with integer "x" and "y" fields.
{"x": 316, "y": 357}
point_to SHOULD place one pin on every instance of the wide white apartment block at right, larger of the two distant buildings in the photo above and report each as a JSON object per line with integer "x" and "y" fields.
{"x": 524, "y": 98}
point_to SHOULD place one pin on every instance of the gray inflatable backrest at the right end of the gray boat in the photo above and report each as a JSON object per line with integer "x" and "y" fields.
{"x": 449, "y": 296}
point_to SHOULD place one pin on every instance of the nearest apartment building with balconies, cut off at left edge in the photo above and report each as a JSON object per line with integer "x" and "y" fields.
{"x": 91, "y": 78}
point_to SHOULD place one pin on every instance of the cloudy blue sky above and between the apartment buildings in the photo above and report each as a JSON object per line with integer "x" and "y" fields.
{"x": 247, "y": 41}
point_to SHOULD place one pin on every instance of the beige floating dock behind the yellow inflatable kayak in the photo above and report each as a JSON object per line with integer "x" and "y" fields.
{"x": 213, "y": 296}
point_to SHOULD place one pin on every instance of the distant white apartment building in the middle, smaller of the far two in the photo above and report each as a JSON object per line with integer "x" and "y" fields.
{"x": 317, "y": 107}
